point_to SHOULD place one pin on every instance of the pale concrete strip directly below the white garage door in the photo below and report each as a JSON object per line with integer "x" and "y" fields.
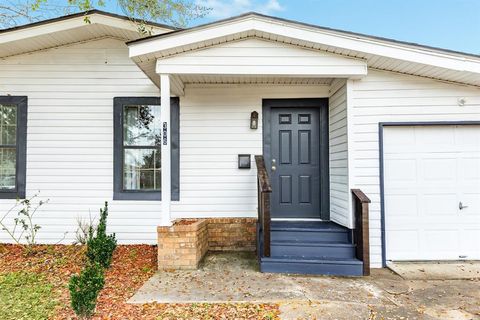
{"x": 436, "y": 270}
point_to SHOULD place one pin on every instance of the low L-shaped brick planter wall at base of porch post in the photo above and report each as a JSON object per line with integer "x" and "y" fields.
{"x": 183, "y": 245}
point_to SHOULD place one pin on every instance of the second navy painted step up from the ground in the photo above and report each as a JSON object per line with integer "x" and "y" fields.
{"x": 312, "y": 249}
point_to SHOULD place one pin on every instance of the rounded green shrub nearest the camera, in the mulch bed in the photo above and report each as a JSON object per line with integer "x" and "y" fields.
{"x": 84, "y": 289}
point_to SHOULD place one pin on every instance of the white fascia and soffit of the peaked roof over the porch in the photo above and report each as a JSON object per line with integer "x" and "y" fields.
{"x": 379, "y": 53}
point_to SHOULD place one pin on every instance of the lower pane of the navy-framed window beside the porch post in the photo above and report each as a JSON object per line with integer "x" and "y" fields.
{"x": 141, "y": 169}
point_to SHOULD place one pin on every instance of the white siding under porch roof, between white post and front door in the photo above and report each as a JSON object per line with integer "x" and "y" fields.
{"x": 214, "y": 129}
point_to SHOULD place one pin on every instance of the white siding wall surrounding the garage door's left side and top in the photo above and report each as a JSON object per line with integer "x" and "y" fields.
{"x": 390, "y": 97}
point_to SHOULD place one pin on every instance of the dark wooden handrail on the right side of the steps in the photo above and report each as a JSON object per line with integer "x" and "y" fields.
{"x": 361, "y": 231}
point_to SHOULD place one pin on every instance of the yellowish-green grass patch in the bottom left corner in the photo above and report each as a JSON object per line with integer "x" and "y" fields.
{"x": 25, "y": 296}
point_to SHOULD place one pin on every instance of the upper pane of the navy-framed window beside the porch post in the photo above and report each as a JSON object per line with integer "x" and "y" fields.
{"x": 141, "y": 125}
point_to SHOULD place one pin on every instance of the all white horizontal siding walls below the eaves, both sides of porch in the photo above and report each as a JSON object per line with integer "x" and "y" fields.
{"x": 70, "y": 137}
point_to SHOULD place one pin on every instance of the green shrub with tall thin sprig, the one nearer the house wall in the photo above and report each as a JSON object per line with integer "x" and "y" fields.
{"x": 100, "y": 246}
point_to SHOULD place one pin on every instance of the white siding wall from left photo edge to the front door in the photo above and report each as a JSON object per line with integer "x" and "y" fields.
{"x": 70, "y": 140}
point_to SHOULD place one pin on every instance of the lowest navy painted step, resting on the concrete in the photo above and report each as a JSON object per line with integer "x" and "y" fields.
{"x": 336, "y": 267}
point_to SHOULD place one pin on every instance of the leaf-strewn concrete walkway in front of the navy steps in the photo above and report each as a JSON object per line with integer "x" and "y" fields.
{"x": 233, "y": 277}
